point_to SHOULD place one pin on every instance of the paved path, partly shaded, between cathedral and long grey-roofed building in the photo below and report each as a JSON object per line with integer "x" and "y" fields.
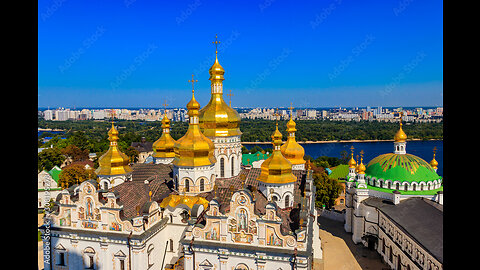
{"x": 339, "y": 251}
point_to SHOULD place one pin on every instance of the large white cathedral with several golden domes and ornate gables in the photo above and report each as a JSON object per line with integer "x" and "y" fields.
{"x": 194, "y": 207}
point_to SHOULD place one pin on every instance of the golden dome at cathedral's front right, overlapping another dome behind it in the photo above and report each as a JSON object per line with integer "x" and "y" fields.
{"x": 276, "y": 169}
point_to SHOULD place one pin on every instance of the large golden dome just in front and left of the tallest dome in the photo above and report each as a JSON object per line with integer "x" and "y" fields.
{"x": 194, "y": 148}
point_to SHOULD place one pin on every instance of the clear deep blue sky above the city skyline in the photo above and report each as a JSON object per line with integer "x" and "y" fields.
{"x": 324, "y": 53}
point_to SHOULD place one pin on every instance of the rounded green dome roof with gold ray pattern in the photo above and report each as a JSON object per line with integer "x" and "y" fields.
{"x": 401, "y": 168}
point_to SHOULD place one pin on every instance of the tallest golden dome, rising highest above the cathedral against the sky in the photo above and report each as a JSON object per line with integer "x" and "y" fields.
{"x": 217, "y": 119}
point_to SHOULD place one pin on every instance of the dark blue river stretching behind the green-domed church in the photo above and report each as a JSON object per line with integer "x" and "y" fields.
{"x": 422, "y": 149}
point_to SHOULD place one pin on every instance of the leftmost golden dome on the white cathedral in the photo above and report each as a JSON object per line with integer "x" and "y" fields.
{"x": 113, "y": 162}
